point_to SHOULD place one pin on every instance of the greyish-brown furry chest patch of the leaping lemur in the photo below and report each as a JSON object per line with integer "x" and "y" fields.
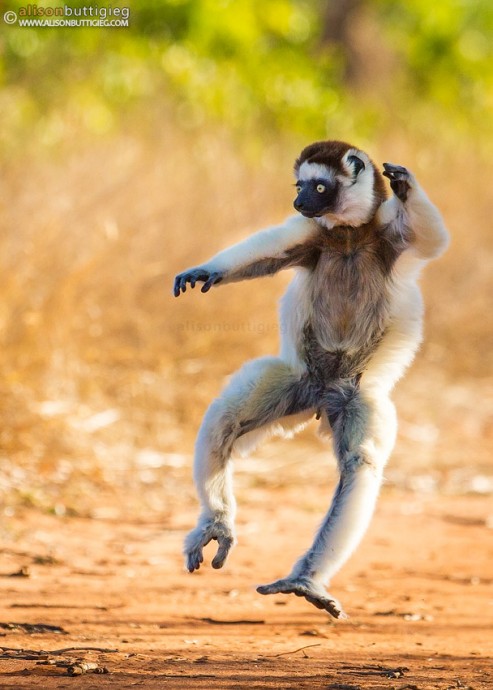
{"x": 348, "y": 297}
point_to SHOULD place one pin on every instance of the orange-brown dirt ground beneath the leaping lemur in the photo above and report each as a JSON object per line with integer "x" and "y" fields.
{"x": 418, "y": 592}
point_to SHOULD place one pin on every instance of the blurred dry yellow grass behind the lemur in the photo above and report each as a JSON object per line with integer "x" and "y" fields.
{"x": 105, "y": 376}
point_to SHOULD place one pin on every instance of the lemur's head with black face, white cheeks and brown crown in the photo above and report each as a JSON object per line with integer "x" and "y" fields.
{"x": 338, "y": 183}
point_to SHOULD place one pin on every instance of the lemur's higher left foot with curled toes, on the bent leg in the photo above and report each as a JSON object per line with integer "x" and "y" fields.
{"x": 208, "y": 529}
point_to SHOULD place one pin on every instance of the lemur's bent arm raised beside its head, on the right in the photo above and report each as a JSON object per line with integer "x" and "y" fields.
{"x": 411, "y": 217}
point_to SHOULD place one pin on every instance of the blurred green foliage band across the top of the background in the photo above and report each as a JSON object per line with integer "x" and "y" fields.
{"x": 252, "y": 65}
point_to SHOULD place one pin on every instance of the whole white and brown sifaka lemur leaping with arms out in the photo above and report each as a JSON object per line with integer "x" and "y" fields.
{"x": 351, "y": 322}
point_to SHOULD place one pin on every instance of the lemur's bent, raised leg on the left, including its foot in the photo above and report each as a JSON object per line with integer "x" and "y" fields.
{"x": 260, "y": 393}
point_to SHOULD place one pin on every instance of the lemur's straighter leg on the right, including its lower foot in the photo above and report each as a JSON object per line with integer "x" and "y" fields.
{"x": 364, "y": 429}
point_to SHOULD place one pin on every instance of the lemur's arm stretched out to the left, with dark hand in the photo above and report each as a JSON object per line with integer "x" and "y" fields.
{"x": 264, "y": 253}
